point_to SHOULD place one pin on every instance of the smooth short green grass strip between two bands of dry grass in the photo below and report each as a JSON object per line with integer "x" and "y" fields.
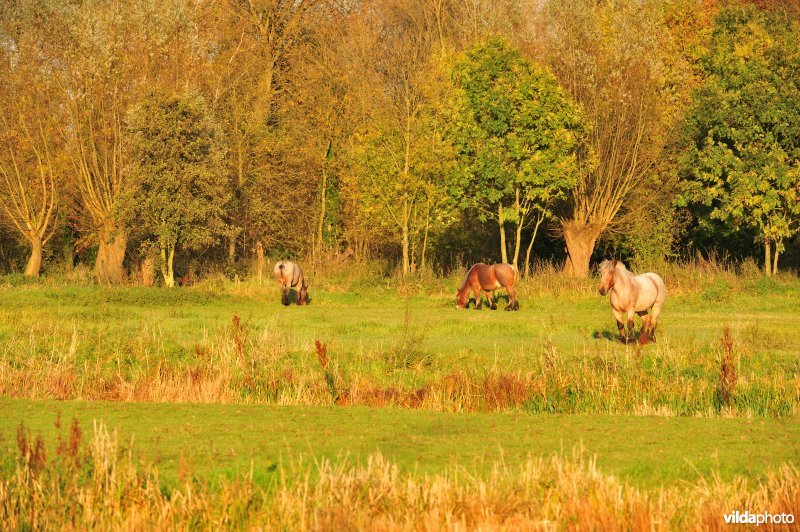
{"x": 224, "y": 441}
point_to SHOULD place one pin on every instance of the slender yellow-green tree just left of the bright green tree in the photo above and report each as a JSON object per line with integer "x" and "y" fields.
{"x": 398, "y": 150}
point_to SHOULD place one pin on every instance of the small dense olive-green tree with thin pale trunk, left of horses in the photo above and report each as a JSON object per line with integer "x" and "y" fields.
{"x": 178, "y": 188}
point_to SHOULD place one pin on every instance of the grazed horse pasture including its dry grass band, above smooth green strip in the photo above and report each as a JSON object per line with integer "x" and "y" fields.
{"x": 558, "y": 354}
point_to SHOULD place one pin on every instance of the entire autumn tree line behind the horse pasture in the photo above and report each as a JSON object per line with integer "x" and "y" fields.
{"x": 146, "y": 136}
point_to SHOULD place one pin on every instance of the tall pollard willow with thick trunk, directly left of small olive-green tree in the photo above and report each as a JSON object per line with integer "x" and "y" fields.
{"x": 113, "y": 52}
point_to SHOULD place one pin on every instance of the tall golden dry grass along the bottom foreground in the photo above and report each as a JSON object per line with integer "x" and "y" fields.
{"x": 98, "y": 486}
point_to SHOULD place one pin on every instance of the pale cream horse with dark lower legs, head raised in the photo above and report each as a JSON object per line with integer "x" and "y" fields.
{"x": 632, "y": 294}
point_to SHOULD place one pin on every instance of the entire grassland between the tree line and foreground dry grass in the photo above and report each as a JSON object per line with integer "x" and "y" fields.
{"x": 398, "y": 371}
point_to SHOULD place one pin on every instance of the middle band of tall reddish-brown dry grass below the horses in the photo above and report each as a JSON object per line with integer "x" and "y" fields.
{"x": 241, "y": 365}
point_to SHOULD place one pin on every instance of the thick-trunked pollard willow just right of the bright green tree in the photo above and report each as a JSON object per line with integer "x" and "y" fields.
{"x": 609, "y": 56}
